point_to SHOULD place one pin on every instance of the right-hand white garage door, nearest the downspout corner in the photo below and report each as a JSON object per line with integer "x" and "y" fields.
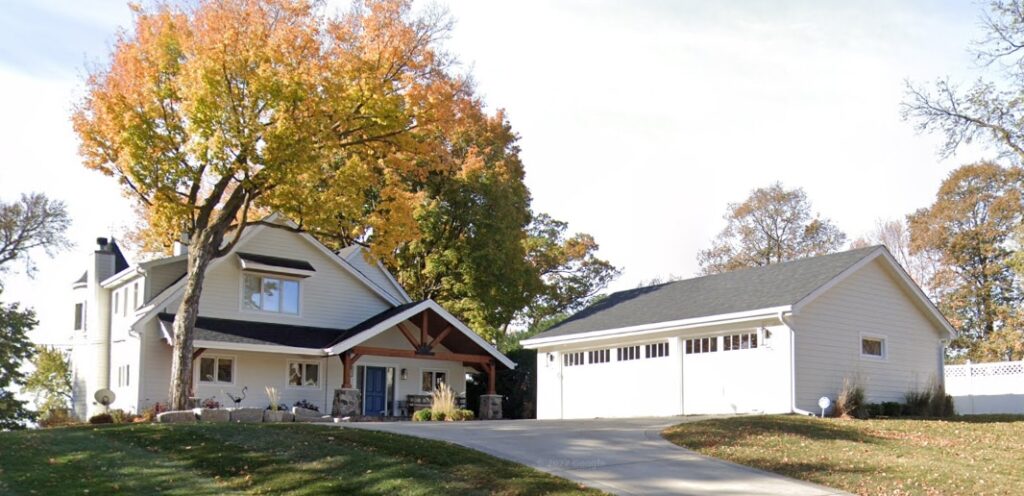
{"x": 723, "y": 375}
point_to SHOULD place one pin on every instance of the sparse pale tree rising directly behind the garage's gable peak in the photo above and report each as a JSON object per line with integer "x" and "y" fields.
{"x": 895, "y": 235}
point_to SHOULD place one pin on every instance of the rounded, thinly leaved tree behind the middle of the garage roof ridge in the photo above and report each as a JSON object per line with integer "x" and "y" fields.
{"x": 773, "y": 226}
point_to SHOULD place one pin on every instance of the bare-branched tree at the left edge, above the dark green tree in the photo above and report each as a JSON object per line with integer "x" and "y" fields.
{"x": 35, "y": 222}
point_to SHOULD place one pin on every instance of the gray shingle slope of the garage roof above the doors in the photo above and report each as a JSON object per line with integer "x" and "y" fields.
{"x": 749, "y": 290}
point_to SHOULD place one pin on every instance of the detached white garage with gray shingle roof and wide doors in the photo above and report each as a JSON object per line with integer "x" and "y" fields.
{"x": 772, "y": 340}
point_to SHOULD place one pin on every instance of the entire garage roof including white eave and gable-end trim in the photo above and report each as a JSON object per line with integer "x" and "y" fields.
{"x": 760, "y": 291}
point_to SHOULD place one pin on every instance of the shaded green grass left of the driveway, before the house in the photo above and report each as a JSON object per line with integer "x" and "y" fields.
{"x": 202, "y": 460}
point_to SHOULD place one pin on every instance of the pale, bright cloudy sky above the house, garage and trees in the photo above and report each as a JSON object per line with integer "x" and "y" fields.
{"x": 639, "y": 121}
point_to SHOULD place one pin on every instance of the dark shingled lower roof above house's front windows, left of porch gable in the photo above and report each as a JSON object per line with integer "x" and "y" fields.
{"x": 252, "y": 333}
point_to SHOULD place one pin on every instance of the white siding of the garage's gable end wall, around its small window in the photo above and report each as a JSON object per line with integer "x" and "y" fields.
{"x": 829, "y": 338}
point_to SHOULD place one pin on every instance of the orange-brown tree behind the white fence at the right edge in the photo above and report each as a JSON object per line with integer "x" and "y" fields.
{"x": 970, "y": 227}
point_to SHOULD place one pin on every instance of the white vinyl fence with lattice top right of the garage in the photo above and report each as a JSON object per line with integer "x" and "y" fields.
{"x": 995, "y": 388}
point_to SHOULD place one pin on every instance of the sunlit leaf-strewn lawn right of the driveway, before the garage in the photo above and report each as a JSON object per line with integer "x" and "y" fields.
{"x": 960, "y": 457}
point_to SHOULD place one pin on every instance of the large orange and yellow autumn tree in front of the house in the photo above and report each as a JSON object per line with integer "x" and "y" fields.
{"x": 207, "y": 112}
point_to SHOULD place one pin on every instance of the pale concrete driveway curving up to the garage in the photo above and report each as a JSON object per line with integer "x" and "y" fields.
{"x": 621, "y": 457}
